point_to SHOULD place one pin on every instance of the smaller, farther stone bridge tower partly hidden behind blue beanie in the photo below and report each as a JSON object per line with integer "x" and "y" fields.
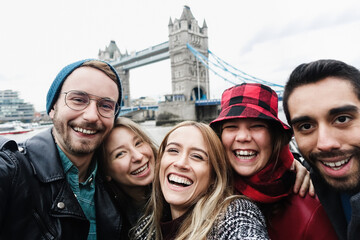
{"x": 112, "y": 53}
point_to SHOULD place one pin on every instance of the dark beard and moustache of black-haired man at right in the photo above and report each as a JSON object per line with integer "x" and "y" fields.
{"x": 347, "y": 183}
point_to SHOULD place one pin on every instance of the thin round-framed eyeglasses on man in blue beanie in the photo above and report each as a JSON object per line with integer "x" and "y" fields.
{"x": 78, "y": 100}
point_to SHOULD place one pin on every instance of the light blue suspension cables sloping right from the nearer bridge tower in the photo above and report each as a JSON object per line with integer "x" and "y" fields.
{"x": 220, "y": 68}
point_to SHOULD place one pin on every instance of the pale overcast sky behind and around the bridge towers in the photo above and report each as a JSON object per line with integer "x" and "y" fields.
{"x": 263, "y": 38}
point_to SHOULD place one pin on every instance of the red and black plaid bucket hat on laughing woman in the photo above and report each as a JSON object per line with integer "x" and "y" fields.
{"x": 250, "y": 100}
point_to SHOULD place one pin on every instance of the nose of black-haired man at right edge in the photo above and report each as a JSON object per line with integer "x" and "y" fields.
{"x": 326, "y": 139}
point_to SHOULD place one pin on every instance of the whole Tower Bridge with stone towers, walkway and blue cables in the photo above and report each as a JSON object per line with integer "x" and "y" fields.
{"x": 187, "y": 49}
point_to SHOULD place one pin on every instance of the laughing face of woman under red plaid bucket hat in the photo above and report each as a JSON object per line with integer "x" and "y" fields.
{"x": 248, "y": 144}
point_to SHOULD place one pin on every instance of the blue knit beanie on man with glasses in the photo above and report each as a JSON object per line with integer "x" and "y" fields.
{"x": 55, "y": 87}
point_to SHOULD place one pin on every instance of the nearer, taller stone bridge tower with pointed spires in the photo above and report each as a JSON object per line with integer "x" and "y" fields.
{"x": 189, "y": 77}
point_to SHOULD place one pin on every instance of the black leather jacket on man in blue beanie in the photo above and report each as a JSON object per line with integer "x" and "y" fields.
{"x": 36, "y": 201}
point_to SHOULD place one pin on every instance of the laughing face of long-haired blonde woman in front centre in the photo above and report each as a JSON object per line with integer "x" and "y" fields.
{"x": 184, "y": 169}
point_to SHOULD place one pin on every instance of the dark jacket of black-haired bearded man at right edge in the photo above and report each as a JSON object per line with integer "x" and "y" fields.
{"x": 331, "y": 202}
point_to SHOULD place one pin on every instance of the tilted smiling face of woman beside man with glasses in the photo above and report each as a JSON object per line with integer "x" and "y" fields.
{"x": 130, "y": 159}
